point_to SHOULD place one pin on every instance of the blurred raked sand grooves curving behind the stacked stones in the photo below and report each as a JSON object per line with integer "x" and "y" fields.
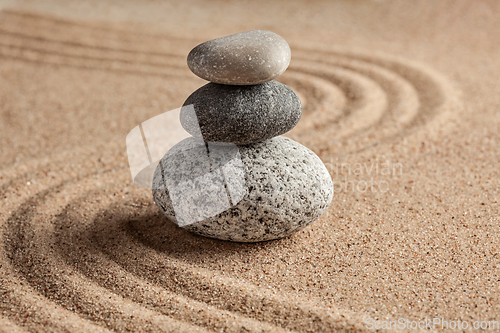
{"x": 386, "y": 96}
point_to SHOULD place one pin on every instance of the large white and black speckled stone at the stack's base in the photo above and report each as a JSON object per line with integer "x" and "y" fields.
{"x": 249, "y": 193}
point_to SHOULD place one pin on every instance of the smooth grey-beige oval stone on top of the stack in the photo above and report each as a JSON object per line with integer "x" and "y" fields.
{"x": 246, "y": 58}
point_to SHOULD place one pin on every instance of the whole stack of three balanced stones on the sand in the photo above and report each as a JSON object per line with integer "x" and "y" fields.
{"x": 236, "y": 178}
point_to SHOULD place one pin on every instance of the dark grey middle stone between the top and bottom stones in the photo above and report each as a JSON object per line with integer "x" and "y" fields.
{"x": 241, "y": 114}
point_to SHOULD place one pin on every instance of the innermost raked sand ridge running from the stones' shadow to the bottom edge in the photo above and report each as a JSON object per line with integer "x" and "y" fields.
{"x": 249, "y": 302}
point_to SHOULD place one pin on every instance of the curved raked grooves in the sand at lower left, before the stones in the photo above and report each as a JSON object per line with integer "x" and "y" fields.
{"x": 77, "y": 267}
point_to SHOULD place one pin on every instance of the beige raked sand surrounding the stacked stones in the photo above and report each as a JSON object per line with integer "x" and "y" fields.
{"x": 401, "y": 102}
